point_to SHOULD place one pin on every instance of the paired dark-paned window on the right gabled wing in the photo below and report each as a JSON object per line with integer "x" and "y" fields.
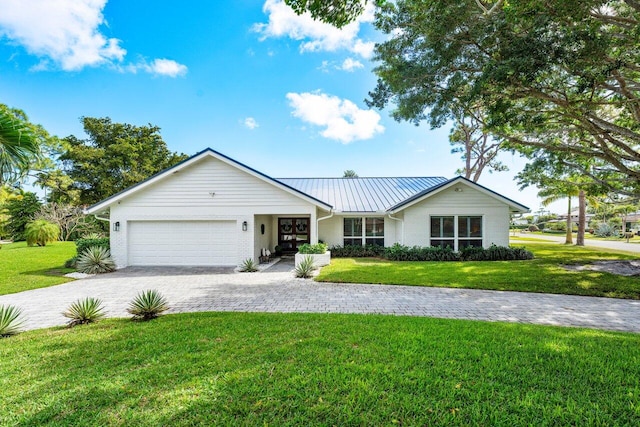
{"x": 467, "y": 233}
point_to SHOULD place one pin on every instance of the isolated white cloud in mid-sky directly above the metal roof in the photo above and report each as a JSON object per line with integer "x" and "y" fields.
{"x": 341, "y": 118}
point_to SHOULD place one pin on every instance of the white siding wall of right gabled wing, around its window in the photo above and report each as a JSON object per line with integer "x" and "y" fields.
{"x": 469, "y": 201}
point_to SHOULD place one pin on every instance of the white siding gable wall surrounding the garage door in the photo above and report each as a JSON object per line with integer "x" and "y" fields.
{"x": 185, "y": 196}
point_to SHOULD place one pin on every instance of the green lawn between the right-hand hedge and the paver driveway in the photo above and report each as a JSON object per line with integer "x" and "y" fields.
{"x": 543, "y": 274}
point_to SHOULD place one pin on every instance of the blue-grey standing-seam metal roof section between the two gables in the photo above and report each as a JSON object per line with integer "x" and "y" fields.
{"x": 363, "y": 194}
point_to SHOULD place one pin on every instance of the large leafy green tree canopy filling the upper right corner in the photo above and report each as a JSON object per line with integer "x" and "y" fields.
{"x": 561, "y": 75}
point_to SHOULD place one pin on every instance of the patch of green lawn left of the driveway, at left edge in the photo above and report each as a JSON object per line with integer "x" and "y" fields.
{"x": 25, "y": 267}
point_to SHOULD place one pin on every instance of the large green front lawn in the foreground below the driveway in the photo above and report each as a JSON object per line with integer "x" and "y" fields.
{"x": 313, "y": 369}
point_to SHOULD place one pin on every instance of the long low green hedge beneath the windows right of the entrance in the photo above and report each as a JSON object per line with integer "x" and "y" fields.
{"x": 399, "y": 252}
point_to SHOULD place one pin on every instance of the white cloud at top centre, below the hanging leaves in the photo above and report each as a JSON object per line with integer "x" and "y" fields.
{"x": 314, "y": 35}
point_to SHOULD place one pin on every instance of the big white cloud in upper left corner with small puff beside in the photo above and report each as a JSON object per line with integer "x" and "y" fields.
{"x": 66, "y": 34}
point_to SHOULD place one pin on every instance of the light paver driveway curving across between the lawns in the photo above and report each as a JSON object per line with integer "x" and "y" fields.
{"x": 189, "y": 289}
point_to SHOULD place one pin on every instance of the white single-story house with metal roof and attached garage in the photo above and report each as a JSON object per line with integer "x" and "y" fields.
{"x": 211, "y": 210}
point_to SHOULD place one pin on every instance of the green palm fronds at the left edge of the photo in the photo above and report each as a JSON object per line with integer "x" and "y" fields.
{"x": 18, "y": 146}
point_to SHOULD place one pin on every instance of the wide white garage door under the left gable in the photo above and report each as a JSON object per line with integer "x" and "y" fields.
{"x": 182, "y": 243}
